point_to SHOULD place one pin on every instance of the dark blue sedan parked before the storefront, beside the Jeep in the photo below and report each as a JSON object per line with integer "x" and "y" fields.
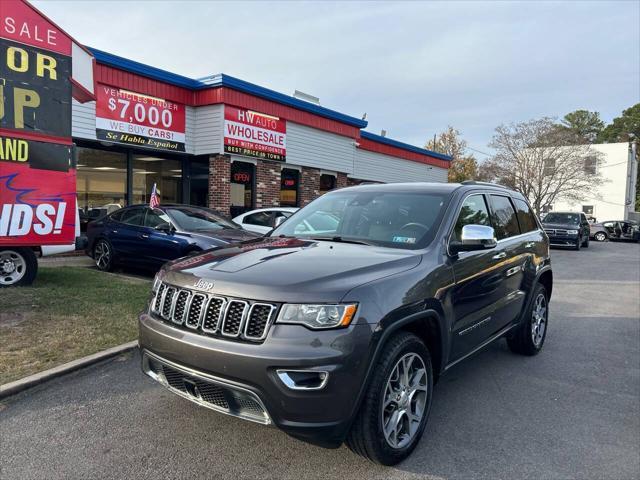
{"x": 144, "y": 237}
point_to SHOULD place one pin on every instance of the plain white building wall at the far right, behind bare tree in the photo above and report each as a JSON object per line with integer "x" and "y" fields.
{"x": 615, "y": 197}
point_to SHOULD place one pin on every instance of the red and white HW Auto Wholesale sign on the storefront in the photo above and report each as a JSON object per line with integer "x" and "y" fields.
{"x": 254, "y": 134}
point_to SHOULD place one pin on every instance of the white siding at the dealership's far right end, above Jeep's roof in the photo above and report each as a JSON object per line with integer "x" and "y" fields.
{"x": 378, "y": 167}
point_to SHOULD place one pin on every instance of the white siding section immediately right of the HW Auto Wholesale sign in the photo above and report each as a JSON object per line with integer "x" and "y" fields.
{"x": 309, "y": 147}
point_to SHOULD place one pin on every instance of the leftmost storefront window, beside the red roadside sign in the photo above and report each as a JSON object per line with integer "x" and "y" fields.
{"x": 101, "y": 183}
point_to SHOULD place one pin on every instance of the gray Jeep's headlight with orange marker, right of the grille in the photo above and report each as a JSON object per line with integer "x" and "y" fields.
{"x": 318, "y": 316}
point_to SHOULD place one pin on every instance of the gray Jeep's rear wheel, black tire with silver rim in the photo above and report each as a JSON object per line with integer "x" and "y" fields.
{"x": 529, "y": 337}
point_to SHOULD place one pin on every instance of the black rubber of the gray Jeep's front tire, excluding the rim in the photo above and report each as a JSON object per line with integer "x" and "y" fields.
{"x": 387, "y": 454}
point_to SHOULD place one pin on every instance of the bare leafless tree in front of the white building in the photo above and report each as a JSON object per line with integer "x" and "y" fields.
{"x": 543, "y": 162}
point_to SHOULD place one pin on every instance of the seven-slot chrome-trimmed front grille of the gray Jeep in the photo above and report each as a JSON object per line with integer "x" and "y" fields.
{"x": 213, "y": 315}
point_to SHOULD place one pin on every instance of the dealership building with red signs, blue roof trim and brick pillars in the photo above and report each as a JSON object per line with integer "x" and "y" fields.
{"x": 223, "y": 142}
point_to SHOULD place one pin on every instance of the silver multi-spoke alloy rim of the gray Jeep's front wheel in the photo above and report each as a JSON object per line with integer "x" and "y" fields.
{"x": 405, "y": 400}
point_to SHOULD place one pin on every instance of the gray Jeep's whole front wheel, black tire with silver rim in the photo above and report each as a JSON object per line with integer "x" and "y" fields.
{"x": 367, "y": 435}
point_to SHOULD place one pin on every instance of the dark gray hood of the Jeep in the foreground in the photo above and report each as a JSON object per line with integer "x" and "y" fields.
{"x": 289, "y": 269}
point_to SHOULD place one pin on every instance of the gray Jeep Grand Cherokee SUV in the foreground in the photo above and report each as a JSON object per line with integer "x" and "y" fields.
{"x": 336, "y": 326}
